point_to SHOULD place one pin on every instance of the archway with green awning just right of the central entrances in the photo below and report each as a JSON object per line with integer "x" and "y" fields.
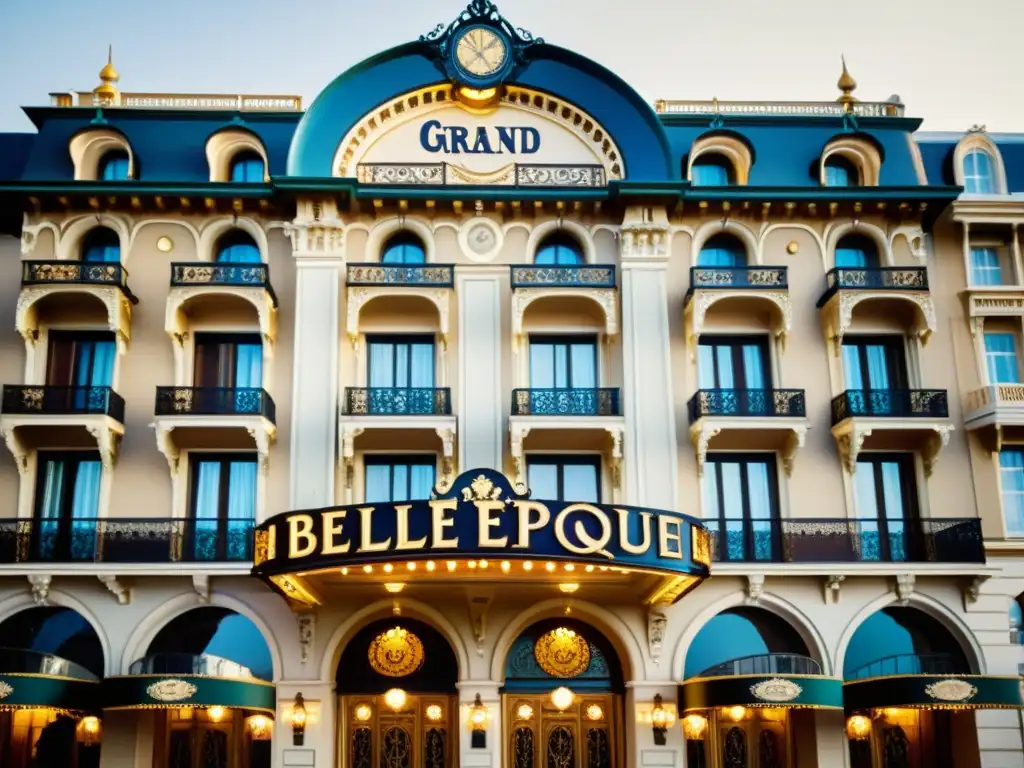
{"x": 750, "y": 687}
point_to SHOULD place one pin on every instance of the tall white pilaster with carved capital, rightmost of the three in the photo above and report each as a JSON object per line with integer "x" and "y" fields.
{"x": 651, "y": 450}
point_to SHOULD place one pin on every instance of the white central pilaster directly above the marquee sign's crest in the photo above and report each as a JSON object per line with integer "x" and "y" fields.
{"x": 482, "y": 409}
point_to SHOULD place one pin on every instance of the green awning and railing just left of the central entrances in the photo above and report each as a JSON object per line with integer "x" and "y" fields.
{"x": 172, "y": 681}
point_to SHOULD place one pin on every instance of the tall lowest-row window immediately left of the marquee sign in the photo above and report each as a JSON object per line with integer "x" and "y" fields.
{"x": 223, "y": 507}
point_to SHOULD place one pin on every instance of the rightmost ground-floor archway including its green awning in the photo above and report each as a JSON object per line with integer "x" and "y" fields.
{"x": 892, "y": 654}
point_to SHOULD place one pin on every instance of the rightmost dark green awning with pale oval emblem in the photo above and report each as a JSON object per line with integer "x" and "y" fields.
{"x": 935, "y": 693}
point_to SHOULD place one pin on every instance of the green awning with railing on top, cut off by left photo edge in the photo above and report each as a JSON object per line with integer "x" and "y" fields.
{"x": 30, "y": 680}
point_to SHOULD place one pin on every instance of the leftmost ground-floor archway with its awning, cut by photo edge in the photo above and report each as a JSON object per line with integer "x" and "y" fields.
{"x": 51, "y": 666}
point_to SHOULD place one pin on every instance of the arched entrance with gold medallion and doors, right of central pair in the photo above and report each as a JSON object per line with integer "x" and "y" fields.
{"x": 563, "y": 700}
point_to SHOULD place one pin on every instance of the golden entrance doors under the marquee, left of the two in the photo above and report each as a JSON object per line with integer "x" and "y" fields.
{"x": 419, "y": 734}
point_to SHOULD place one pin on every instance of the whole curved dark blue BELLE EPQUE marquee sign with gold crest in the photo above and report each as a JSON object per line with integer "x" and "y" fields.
{"x": 482, "y": 518}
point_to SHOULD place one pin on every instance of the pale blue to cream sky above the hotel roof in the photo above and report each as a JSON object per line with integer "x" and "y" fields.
{"x": 956, "y": 64}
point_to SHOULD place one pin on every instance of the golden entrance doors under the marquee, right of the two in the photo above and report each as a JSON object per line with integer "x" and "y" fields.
{"x": 586, "y": 735}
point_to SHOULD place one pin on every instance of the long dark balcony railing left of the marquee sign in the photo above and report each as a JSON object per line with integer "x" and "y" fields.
{"x": 125, "y": 540}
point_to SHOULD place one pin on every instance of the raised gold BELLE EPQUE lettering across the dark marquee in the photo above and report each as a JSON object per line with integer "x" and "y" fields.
{"x": 522, "y": 527}
